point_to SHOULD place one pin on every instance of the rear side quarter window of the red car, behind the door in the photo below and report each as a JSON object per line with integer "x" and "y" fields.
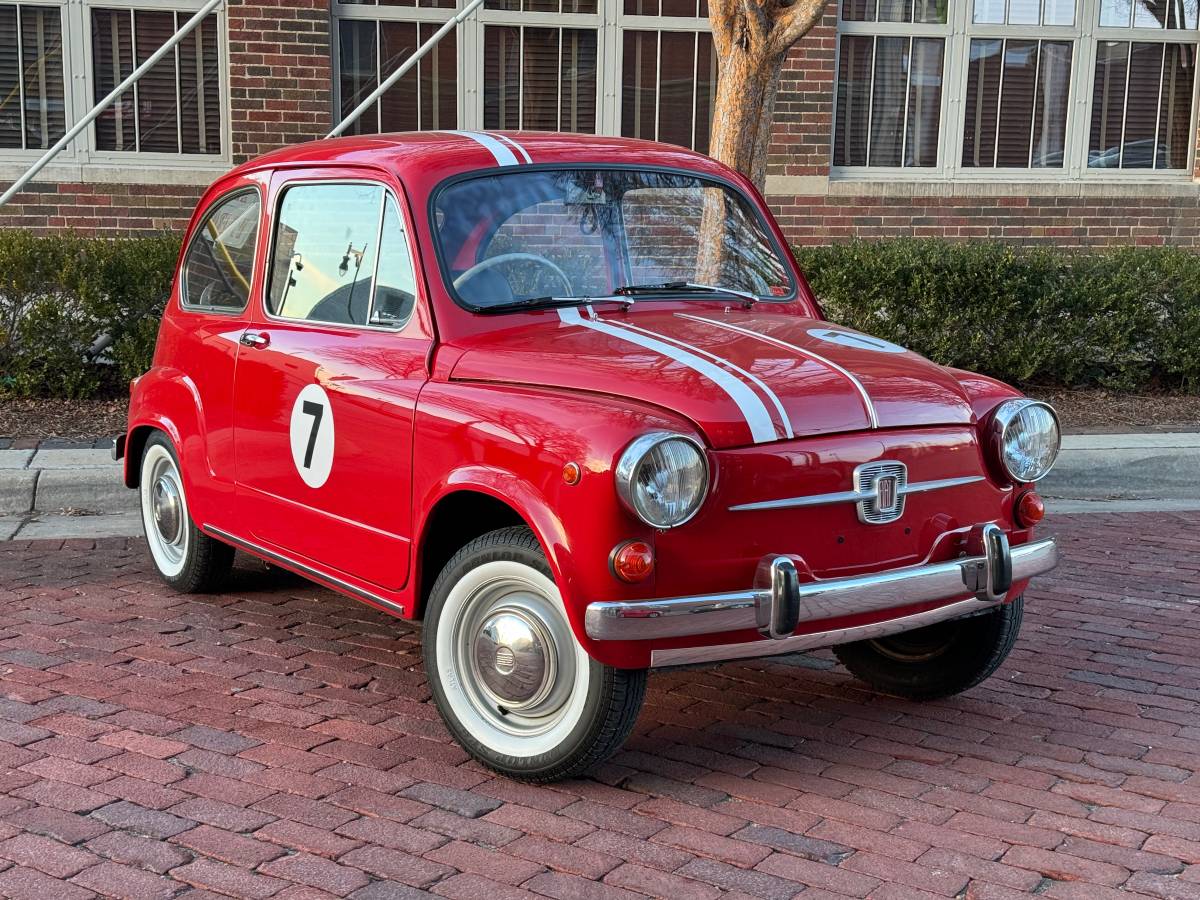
{"x": 220, "y": 265}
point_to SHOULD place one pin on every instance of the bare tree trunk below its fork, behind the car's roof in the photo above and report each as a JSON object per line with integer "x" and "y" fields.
{"x": 745, "y": 109}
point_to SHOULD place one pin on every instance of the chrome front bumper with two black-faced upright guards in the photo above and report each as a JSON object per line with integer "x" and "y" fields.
{"x": 777, "y": 604}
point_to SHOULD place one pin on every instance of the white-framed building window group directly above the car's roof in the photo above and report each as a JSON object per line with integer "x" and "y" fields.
{"x": 593, "y": 67}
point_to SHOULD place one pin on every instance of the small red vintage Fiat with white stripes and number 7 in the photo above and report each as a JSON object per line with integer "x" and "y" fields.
{"x": 569, "y": 400}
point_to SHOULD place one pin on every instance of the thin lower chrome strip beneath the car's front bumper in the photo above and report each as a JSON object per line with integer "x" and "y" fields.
{"x": 751, "y": 650}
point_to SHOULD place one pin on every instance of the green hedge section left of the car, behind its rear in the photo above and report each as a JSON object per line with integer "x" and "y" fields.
{"x": 61, "y": 293}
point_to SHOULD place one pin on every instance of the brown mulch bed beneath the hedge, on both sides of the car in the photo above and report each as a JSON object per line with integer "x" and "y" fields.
{"x": 1079, "y": 411}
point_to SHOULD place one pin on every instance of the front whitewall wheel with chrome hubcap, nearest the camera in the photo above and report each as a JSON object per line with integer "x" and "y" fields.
{"x": 513, "y": 685}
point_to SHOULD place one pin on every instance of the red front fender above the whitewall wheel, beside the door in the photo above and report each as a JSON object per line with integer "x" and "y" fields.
{"x": 512, "y": 443}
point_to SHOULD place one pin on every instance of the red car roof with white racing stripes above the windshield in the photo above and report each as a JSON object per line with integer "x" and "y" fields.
{"x": 430, "y": 157}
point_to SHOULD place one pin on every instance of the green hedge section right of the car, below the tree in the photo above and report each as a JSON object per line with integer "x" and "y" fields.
{"x": 1125, "y": 320}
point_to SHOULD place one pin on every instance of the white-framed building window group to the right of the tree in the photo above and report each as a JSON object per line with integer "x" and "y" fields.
{"x": 991, "y": 87}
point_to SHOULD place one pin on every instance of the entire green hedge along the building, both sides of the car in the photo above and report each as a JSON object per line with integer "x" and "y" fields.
{"x": 1124, "y": 320}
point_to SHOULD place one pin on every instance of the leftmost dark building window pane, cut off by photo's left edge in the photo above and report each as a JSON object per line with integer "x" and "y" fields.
{"x": 33, "y": 97}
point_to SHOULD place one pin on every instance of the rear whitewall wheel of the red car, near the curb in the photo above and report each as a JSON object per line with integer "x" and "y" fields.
{"x": 185, "y": 557}
